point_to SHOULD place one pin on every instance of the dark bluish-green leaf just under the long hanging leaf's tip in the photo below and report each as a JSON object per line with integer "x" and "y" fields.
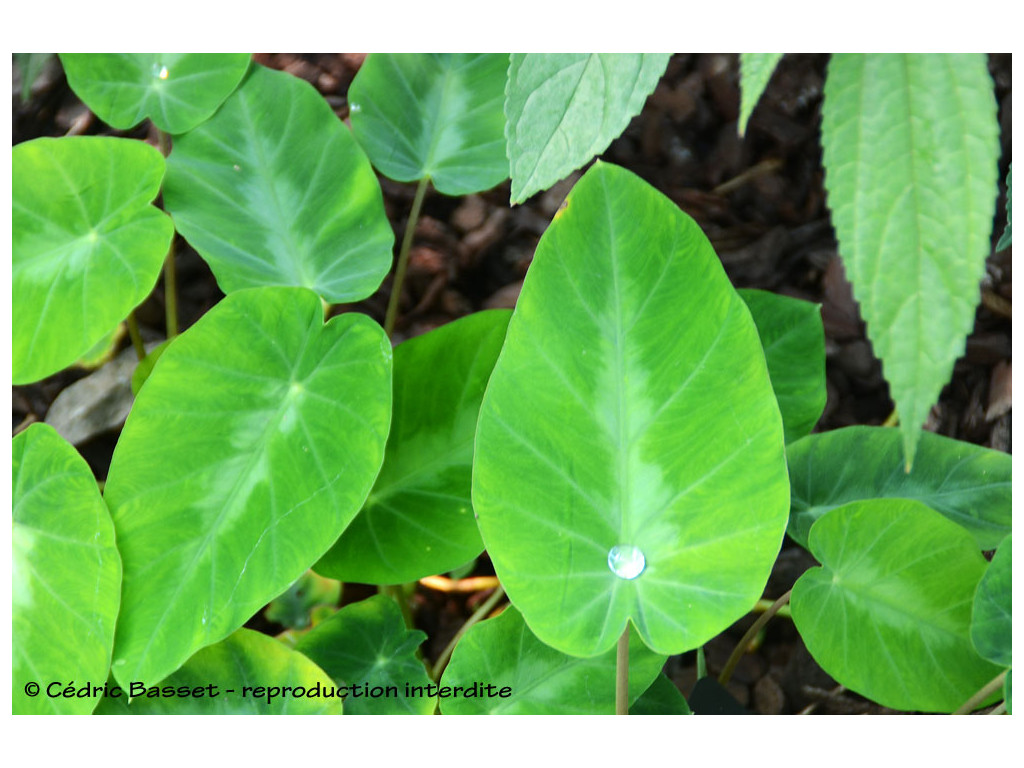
{"x": 968, "y": 484}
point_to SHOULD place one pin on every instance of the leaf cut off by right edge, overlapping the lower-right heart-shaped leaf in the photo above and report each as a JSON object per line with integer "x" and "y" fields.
{"x": 992, "y": 620}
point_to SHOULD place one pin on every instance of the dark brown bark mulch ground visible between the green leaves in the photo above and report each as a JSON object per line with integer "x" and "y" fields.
{"x": 761, "y": 202}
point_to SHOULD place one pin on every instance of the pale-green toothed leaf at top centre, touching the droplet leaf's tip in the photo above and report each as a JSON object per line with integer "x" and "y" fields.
{"x": 564, "y": 109}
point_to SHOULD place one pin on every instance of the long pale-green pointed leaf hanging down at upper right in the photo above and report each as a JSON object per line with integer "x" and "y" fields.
{"x": 911, "y": 150}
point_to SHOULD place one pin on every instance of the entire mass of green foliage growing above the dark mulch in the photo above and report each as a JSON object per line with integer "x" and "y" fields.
{"x": 630, "y": 446}
